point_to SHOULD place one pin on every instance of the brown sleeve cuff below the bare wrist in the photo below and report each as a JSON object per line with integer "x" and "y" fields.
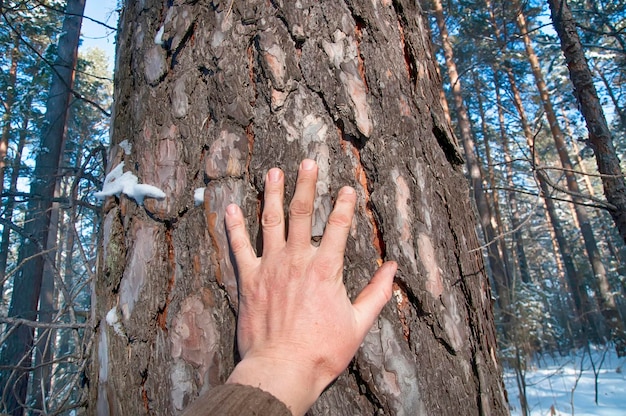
{"x": 236, "y": 400}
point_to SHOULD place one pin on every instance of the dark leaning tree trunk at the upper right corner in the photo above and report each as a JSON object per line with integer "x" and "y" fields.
{"x": 599, "y": 134}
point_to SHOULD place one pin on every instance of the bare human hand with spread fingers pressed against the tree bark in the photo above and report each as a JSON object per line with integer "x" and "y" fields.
{"x": 297, "y": 329}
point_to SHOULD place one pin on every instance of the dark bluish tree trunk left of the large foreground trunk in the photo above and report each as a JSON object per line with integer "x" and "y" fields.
{"x": 27, "y": 281}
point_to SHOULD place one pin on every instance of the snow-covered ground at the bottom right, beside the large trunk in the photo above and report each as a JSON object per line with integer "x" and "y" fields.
{"x": 551, "y": 380}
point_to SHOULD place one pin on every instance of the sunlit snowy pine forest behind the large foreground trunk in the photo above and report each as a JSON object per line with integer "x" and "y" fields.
{"x": 557, "y": 261}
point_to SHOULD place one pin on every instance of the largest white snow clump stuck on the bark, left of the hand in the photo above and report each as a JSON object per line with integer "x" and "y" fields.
{"x": 118, "y": 182}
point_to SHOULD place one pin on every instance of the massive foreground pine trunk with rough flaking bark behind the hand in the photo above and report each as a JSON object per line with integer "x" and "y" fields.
{"x": 231, "y": 89}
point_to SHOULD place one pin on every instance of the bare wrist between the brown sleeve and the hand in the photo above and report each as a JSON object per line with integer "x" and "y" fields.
{"x": 294, "y": 387}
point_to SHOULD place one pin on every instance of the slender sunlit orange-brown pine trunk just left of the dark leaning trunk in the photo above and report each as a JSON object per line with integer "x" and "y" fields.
{"x": 601, "y": 285}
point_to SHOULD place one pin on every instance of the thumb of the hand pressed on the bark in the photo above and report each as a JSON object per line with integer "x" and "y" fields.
{"x": 374, "y": 296}
